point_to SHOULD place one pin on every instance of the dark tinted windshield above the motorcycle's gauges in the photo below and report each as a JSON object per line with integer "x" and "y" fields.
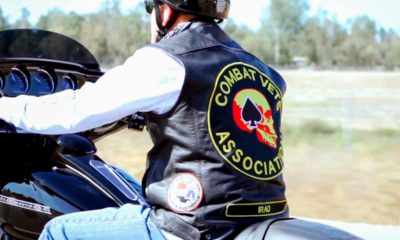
{"x": 34, "y": 43}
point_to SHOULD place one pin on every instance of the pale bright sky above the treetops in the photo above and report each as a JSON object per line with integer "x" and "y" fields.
{"x": 248, "y": 12}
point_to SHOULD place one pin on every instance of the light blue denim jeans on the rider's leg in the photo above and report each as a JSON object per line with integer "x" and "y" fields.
{"x": 127, "y": 222}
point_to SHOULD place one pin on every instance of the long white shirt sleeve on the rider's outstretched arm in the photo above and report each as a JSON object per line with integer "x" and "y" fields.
{"x": 150, "y": 80}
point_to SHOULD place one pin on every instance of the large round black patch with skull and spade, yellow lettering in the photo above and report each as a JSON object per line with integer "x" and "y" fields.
{"x": 243, "y": 117}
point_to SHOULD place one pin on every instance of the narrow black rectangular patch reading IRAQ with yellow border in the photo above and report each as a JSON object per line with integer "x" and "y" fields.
{"x": 255, "y": 209}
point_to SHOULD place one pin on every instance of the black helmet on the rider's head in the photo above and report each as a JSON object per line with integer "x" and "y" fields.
{"x": 217, "y": 9}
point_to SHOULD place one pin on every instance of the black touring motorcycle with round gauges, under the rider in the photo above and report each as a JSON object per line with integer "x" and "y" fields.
{"x": 45, "y": 176}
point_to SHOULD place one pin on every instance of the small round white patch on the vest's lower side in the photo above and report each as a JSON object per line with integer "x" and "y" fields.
{"x": 185, "y": 193}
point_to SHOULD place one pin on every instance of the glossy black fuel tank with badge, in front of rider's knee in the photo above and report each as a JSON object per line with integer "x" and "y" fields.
{"x": 27, "y": 204}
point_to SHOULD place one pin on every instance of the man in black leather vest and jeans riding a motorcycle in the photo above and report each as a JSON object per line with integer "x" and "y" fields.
{"x": 213, "y": 111}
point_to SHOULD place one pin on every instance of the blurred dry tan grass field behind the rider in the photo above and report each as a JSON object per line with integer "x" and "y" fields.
{"x": 342, "y": 146}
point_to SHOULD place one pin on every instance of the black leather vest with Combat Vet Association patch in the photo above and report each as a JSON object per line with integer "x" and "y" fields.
{"x": 216, "y": 164}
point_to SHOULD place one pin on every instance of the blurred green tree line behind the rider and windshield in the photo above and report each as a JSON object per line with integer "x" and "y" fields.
{"x": 288, "y": 35}
